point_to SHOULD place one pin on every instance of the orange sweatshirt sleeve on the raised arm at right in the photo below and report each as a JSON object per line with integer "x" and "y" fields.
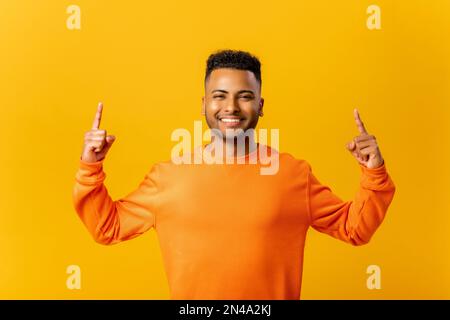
{"x": 355, "y": 221}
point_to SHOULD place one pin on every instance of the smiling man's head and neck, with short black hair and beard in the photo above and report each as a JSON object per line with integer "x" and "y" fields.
{"x": 232, "y": 103}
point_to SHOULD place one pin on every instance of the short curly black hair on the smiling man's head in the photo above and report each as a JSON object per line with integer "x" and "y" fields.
{"x": 235, "y": 59}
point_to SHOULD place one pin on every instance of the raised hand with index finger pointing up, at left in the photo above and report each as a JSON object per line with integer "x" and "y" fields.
{"x": 96, "y": 142}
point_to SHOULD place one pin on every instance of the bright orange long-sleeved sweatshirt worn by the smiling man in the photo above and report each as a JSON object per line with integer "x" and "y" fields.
{"x": 226, "y": 231}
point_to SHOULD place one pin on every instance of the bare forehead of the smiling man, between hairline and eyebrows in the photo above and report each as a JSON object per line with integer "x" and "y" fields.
{"x": 231, "y": 79}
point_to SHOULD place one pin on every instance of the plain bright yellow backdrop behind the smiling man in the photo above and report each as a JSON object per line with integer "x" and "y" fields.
{"x": 146, "y": 60}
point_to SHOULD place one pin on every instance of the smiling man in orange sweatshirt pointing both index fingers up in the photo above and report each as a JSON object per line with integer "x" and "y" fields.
{"x": 225, "y": 230}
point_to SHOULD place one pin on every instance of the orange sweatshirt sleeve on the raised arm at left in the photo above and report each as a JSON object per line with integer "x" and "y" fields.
{"x": 109, "y": 221}
